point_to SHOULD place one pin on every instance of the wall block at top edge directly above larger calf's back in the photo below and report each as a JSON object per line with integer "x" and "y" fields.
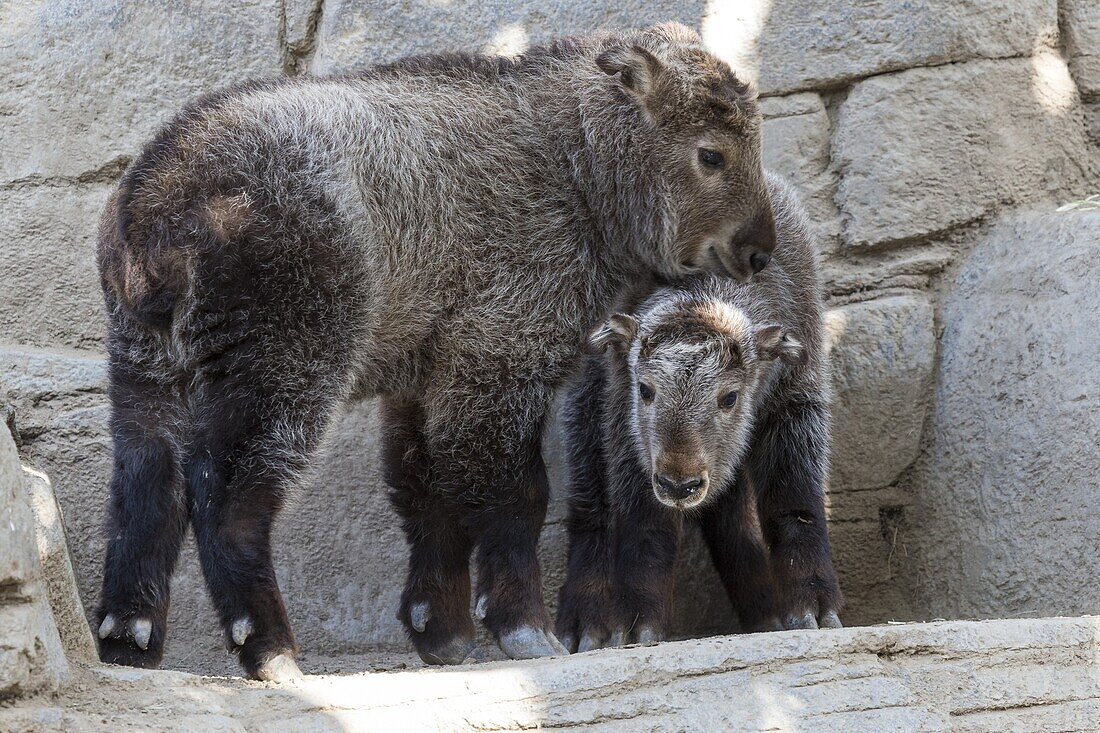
{"x": 359, "y": 32}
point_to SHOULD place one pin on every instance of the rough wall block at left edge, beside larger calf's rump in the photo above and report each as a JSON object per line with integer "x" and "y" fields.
{"x": 52, "y": 293}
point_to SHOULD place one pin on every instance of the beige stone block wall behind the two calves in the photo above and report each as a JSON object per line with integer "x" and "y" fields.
{"x": 910, "y": 130}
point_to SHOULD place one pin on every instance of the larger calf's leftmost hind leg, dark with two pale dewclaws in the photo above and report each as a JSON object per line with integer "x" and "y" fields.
{"x": 148, "y": 510}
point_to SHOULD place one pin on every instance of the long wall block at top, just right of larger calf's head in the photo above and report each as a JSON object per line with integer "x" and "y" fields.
{"x": 799, "y": 46}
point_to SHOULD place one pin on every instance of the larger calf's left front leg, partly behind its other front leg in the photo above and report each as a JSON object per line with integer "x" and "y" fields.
{"x": 436, "y": 603}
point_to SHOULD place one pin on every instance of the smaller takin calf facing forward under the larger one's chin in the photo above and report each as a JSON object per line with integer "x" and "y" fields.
{"x": 711, "y": 403}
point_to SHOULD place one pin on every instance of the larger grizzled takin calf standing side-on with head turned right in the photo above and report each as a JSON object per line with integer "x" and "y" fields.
{"x": 441, "y": 233}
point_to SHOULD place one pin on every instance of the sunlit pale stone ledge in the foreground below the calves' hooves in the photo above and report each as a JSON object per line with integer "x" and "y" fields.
{"x": 964, "y": 677}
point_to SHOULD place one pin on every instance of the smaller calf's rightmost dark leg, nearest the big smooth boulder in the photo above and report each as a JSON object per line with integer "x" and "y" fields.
{"x": 787, "y": 469}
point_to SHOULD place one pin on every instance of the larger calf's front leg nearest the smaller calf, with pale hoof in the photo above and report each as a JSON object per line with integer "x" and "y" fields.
{"x": 486, "y": 441}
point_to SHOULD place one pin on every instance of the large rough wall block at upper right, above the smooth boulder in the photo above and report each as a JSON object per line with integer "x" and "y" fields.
{"x": 929, "y": 149}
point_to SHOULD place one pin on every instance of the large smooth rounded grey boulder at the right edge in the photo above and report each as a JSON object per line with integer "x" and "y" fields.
{"x": 1006, "y": 521}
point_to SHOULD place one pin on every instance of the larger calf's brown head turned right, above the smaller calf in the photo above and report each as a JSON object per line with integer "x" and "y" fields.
{"x": 707, "y": 124}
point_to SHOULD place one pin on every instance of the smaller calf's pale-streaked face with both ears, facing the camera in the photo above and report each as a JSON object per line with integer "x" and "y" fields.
{"x": 695, "y": 367}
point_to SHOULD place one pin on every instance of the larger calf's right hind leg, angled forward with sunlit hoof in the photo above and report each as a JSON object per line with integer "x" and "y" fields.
{"x": 250, "y": 450}
